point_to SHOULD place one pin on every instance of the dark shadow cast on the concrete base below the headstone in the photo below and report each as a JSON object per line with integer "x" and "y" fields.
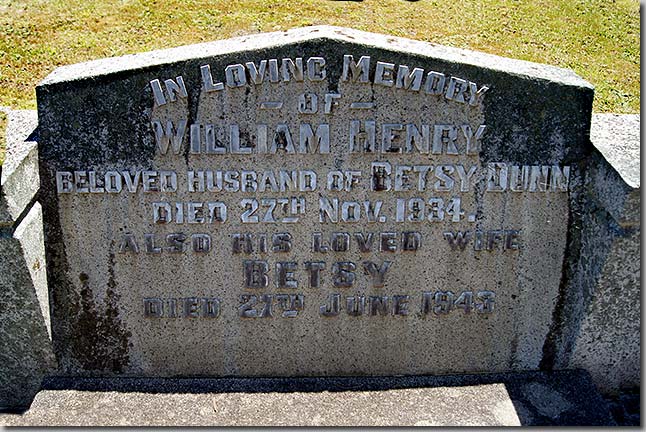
{"x": 539, "y": 398}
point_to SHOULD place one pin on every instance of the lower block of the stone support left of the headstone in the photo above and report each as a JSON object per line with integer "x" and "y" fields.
{"x": 26, "y": 355}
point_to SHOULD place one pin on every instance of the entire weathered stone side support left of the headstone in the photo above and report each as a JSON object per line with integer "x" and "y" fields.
{"x": 26, "y": 355}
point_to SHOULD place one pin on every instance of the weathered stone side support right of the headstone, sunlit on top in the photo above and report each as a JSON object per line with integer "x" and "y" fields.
{"x": 609, "y": 338}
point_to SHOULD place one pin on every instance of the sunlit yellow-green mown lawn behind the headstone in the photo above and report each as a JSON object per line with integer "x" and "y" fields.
{"x": 599, "y": 39}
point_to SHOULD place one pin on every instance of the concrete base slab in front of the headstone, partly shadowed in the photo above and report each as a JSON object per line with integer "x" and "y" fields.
{"x": 537, "y": 398}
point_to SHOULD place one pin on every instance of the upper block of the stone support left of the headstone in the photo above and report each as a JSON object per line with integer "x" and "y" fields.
{"x": 19, "y": 172}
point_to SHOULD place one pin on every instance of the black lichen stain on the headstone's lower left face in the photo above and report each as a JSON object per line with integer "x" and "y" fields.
{"x": 100, "y": 341}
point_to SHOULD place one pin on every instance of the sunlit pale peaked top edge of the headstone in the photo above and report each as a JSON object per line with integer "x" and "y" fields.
{"x": 343, "y": 35}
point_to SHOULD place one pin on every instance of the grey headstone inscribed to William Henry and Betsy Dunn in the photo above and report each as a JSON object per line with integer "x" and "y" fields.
{"x": 321, "y": 201}
